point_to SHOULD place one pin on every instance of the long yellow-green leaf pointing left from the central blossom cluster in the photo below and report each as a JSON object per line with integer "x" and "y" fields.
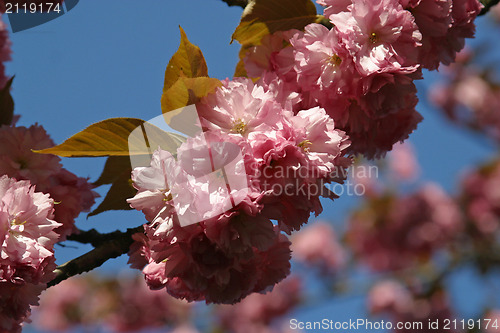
{"x": 116, "y": 137}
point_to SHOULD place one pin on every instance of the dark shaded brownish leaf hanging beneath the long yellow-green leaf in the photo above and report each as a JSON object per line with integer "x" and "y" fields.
{"x": 116, "y": 198}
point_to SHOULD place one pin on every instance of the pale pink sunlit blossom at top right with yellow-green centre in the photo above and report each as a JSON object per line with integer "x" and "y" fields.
{"x": 381, "y": 36}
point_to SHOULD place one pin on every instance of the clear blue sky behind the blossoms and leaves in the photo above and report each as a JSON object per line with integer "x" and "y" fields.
{"x": 107, "y": 59}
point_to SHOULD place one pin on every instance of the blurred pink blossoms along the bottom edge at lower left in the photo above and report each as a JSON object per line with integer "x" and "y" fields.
{"x": 114, "y": 305}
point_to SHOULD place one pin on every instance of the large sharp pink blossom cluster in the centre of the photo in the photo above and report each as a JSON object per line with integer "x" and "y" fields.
{"x": 286, "y": 160}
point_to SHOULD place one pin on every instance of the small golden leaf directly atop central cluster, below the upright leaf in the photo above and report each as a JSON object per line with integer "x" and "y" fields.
{"x": 187, "y": 91}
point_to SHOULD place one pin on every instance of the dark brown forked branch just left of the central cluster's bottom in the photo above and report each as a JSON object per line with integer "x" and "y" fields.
{"x": 107, "y": 246}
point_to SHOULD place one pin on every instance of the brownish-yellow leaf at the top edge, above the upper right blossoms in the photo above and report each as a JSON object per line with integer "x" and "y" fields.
{"x": 262, "y": 17}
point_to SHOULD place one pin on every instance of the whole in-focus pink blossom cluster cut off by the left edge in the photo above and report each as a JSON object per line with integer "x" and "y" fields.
{"x": 39, "y": 201}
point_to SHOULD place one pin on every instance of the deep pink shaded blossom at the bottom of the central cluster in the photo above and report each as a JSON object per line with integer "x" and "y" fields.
{"x": 216, "y": 263}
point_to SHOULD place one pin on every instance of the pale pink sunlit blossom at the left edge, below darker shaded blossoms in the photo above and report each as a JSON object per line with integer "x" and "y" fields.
{"x": 27, "y": 254}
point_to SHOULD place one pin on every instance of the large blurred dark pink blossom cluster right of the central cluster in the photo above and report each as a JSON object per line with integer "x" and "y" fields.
{"x": 392, "y": 233}
